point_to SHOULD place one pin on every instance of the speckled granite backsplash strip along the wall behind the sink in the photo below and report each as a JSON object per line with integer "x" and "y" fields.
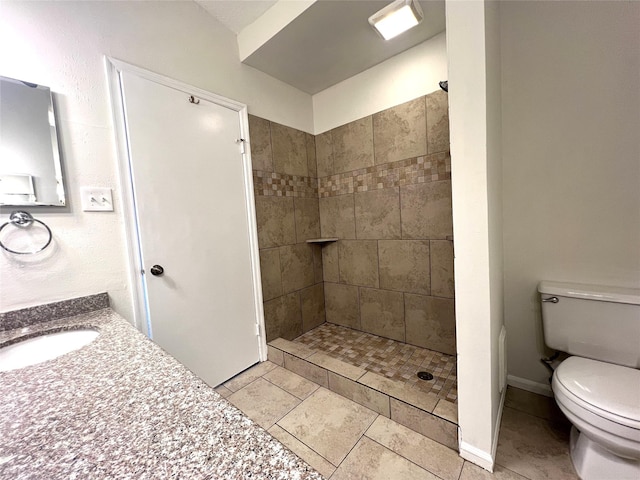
{"x": 52, "y": 311}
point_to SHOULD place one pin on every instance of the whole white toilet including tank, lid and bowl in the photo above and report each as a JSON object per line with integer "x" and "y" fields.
{"x": 598, "y": 387}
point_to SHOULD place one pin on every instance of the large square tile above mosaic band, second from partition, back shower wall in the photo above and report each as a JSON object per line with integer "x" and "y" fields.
{"x": 400, "y": 132}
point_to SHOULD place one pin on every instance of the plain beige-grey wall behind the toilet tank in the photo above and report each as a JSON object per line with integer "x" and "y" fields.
{"x": 571, "y": 103}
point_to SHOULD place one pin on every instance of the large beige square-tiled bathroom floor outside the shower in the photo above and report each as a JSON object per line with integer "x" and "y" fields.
{"x": 344, "y": 440}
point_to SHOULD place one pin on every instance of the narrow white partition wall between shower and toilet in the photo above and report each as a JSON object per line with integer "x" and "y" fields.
{"x": 473, "y": 44}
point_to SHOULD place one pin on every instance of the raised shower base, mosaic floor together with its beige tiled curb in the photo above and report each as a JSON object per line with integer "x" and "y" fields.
{"x": 380, "y": 374}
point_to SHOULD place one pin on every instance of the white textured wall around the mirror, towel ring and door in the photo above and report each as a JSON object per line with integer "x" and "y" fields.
{"x": 62, "y": 45}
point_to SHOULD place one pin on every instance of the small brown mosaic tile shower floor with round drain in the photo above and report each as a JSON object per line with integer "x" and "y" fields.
{"x": 395, "y": 360}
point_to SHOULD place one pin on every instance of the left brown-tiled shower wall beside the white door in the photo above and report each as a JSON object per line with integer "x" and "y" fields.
{"x": 286, "y": 194}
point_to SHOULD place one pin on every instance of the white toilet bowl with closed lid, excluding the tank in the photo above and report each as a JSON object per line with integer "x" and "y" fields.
{"x": 602, "y": 401}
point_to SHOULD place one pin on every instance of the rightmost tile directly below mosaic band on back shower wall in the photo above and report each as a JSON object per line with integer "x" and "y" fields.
{"x": 426, "y": 210}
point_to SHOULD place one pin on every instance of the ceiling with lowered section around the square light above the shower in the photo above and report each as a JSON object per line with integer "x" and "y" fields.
{"x": 329, "y": 42}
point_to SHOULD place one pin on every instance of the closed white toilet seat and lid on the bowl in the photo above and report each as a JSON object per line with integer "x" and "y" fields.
{"x": 606, "y": 390}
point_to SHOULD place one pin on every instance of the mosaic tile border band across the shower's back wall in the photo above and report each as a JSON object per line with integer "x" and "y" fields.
{"x": 429, "y": 168}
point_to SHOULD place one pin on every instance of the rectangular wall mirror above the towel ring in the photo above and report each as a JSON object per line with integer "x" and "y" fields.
{"x": 30, "y": 170}
